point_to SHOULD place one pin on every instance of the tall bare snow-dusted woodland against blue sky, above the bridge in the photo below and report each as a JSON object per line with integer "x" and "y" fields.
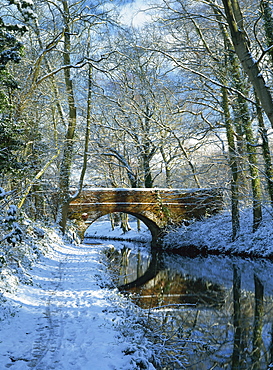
{"x": 90, "y": 97}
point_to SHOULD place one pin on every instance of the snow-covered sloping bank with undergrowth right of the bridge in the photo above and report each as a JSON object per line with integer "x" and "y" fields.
{"x": 214, "y": 235}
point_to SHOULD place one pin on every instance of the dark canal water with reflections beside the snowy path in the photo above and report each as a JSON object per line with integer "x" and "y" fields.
{"x": 207, "y": 312}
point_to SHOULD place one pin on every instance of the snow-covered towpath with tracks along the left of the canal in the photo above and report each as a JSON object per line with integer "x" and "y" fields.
{"x": 69, "y": 319}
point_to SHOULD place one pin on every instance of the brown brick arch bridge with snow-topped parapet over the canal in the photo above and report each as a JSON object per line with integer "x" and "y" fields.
{"x": 157, "y": 208}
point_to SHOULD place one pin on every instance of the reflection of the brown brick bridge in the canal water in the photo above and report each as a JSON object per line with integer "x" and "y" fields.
{"x": 159, "y": 286}
